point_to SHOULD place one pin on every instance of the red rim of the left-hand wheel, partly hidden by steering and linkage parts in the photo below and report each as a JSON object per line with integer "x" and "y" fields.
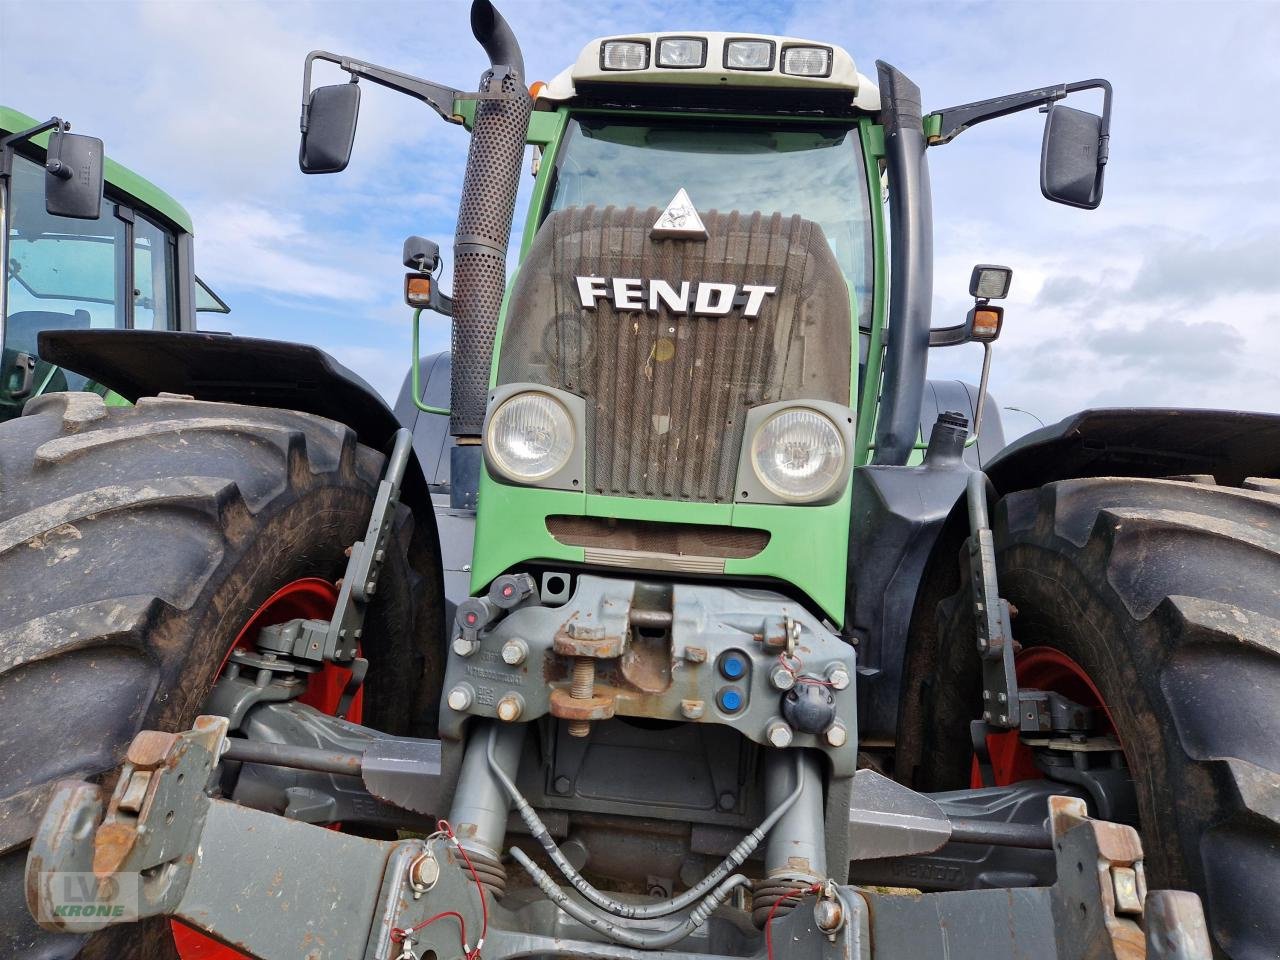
{"x": 309, "y": 598}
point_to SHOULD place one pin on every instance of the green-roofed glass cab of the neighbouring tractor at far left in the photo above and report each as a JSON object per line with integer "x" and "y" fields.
{"x": 121, "y": 262}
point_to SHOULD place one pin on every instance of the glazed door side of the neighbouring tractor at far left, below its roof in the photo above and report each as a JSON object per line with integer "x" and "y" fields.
{"x": 116, "y": 272}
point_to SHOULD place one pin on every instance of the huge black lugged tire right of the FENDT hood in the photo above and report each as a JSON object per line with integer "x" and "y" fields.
{"x": 1168, "y": 595}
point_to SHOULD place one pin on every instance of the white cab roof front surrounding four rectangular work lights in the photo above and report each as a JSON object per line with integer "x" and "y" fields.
{"x": 842, "y": 76}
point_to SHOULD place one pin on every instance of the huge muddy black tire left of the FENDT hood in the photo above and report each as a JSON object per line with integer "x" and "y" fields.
{"x": 135, "y": 543}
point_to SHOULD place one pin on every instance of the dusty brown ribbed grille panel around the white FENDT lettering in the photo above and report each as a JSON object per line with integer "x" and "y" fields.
{"x": 668, "y": 392}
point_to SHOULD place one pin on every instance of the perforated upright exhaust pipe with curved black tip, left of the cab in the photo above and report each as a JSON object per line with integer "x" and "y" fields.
{"x": 490, "y": 188}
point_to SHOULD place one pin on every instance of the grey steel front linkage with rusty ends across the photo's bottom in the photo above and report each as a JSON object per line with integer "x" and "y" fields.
{"x": 280, "y": 890}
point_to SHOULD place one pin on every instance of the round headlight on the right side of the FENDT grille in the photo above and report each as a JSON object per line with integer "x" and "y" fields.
{"x": 798, "y": 455}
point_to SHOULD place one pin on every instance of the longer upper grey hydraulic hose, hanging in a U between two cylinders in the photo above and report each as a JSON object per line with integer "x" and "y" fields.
{"x": 638, "y": 912}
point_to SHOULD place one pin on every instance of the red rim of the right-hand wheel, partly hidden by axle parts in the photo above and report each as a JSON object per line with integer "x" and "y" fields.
{"x": 1040, "y": 669}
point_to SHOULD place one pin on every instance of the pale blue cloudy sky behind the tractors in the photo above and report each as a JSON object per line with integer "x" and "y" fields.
{"x": 1165, "y": 296}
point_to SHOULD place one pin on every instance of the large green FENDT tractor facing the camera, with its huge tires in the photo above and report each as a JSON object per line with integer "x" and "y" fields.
{"x": 696, "y": 623}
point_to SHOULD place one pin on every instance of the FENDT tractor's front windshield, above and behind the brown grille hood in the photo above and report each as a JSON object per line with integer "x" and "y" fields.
{"x": 812, "y": 170}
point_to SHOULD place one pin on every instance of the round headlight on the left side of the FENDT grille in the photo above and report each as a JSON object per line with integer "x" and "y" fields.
{"x": 531, "y": 437}
